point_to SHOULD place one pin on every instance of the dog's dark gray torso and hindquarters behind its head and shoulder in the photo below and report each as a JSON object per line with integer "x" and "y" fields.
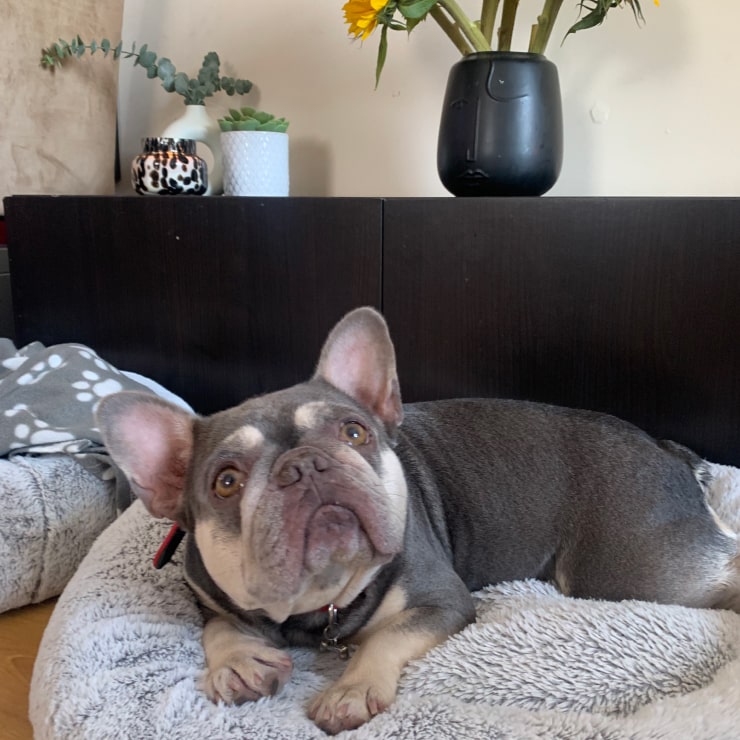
{"x": 585, "y": 499}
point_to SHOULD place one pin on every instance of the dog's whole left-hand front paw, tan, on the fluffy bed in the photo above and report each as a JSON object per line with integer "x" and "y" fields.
{"x": 246, "y": 670}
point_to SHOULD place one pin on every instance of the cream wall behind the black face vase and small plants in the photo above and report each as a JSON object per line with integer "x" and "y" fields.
{"x": 648, "y": 111}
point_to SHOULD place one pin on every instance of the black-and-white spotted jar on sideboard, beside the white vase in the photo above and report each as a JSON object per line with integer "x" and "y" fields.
{"x": 169, "y": 167}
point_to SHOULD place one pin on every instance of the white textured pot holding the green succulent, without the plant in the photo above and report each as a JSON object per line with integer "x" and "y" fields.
{"x": 255, "y": 163}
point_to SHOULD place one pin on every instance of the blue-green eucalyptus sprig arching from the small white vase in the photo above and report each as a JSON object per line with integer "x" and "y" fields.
{"x": 194, "y": 89}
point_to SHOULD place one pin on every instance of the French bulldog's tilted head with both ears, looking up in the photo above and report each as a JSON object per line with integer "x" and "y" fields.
{"x": 295, "y": 498}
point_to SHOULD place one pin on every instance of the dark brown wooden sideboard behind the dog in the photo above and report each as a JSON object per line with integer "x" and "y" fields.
{"x": 627, "y": 305}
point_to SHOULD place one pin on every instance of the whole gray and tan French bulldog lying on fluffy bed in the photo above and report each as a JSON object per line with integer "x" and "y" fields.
{"x": 316, "y": 518}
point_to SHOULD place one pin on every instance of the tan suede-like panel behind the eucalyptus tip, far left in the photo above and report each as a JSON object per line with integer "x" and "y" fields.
{"x": 57, "y": 129}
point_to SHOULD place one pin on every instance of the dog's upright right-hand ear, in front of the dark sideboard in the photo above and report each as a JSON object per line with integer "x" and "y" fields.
{"x": 359, "y": 359}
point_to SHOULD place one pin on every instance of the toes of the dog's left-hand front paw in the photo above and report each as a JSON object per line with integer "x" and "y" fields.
{"x": 247, "y": 678}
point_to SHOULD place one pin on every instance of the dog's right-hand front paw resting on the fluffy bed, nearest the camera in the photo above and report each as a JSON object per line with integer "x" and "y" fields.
{"x": 345, "y": 706}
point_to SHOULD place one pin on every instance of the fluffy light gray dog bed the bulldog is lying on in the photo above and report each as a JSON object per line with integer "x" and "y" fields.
{"x": 121, "y": 658}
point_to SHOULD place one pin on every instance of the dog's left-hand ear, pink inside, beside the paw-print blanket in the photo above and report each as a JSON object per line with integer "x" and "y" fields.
{"x": 151, "y": 440}
